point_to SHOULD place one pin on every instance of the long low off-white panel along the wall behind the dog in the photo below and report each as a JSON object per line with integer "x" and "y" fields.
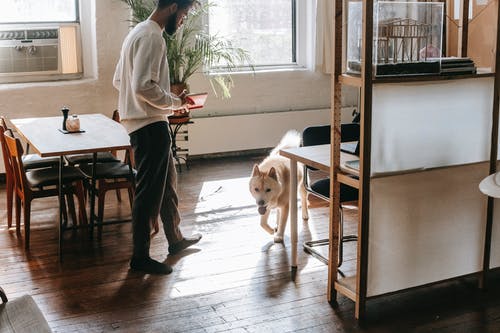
{"x": 245, "y": 132}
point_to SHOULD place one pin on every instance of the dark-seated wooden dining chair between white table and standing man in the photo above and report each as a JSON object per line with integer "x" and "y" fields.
{"x": 111, "y": 176}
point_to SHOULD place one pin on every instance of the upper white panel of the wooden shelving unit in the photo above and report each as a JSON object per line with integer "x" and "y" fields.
{"x": 426, "y": 125}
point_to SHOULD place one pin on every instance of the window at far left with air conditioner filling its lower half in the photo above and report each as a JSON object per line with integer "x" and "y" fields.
{"x": 39, "y": 40}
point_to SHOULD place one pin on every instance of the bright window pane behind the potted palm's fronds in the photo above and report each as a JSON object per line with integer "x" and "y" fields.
{"x": 262, "y": 27}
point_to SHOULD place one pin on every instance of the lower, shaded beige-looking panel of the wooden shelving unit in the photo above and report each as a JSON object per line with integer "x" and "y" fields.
{"x": 425, "y": 227}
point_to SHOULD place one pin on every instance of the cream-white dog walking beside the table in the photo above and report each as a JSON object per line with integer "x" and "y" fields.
{"x": 269, "y": 185}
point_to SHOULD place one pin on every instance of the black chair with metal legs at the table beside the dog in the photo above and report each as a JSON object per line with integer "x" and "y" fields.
{"x": 317, "y": 135}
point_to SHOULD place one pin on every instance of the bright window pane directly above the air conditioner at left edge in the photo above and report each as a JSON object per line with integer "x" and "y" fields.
{"x": 16, "y": 11}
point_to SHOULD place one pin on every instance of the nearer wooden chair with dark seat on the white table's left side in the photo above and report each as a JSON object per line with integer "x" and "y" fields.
{"x": 40, "y": 183}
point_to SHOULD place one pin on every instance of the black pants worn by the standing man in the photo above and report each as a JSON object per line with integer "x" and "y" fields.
{"x": 156, "y": 184}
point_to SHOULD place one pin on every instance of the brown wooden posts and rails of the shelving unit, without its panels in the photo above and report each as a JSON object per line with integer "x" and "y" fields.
{"x": 355, "y": 287}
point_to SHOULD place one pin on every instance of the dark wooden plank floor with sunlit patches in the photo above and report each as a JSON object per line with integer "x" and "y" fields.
{"x": 236, "y": 279}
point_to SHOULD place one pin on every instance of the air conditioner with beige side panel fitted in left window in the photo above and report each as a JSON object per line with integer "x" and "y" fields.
{"x": 39, "y": 53}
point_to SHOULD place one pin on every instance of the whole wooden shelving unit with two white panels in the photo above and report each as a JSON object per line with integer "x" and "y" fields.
{"x": 397, "y": 196}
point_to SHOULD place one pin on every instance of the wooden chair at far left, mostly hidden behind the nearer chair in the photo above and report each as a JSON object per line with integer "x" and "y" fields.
{"x": 30, "y": 161}
